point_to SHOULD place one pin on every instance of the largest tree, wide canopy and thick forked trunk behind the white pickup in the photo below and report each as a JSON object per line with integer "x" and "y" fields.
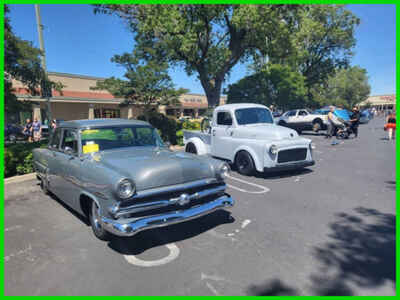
{"x": 206, "y": 39}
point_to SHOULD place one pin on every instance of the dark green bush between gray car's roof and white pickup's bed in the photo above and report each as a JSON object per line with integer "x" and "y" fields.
{"x": 166, "y": 126}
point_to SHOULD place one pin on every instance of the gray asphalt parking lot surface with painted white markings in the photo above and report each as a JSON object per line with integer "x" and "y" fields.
{"x": 325, "y": 230}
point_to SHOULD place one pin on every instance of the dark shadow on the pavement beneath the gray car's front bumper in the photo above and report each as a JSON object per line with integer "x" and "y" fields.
{"x": 151, "y": 238}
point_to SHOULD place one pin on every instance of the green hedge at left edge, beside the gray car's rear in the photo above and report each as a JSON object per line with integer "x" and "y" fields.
{"x": 18, "y": 158}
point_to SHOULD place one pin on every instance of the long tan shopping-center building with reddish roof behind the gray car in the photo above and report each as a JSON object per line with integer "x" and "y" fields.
{"x": 78, "y": 101}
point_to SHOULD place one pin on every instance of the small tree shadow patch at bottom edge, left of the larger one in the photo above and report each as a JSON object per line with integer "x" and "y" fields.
{"x": 274, "y": 287}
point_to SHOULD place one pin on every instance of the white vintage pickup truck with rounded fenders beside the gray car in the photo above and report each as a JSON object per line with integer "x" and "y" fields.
{"x": 245, "y": 135}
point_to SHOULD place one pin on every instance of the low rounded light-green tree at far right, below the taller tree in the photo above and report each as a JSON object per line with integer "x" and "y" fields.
{"x": 347, "y": 87}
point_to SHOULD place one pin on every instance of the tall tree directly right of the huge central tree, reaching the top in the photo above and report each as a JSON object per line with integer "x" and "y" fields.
{"x": 323, "y": 40}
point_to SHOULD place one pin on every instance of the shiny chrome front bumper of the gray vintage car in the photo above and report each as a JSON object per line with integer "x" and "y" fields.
{"x": 126, "y": 228}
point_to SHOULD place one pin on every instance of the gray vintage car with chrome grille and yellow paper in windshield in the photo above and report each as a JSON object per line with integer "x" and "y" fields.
{"x": 120, "y": 175}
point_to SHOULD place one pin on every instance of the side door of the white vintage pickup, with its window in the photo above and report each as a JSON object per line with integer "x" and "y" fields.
{"x": 221, "y": 140}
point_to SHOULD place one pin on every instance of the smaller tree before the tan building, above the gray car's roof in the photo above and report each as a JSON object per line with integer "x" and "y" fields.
{"x": 147, "y": 83}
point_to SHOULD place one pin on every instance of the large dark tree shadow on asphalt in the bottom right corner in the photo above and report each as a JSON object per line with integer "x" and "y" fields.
{"x": 361, "y": 253}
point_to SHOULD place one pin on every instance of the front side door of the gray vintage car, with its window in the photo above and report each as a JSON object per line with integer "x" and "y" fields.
{"x": 69, "y": 168}
